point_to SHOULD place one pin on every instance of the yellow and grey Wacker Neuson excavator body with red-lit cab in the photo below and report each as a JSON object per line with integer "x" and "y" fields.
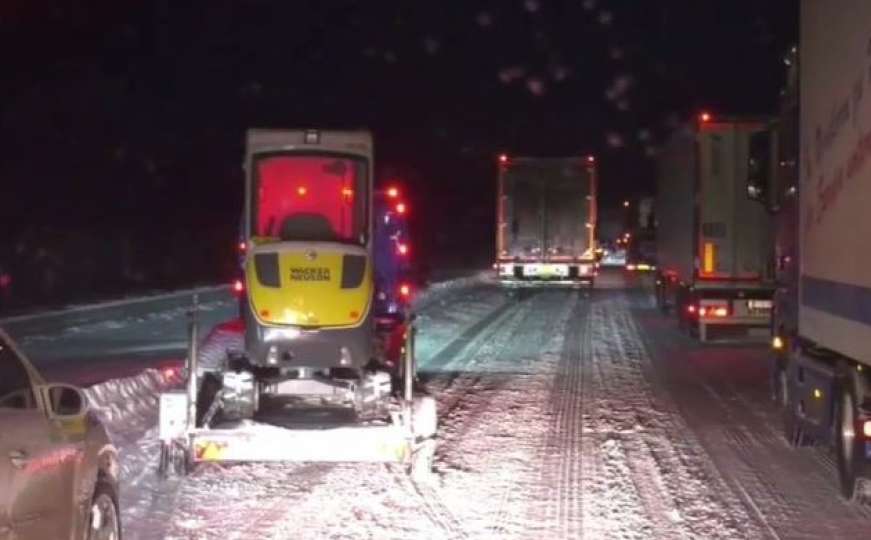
{"x": 308, "y": 265}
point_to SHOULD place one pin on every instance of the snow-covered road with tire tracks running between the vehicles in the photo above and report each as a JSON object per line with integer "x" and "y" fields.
{"x": 564, "y": 414}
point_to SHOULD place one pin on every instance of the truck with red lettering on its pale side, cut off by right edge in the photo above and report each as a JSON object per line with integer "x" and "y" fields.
{"x": 812, "y": 171}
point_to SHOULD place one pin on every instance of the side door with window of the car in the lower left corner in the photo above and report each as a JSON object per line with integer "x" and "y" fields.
{"x": 37, "y": 490}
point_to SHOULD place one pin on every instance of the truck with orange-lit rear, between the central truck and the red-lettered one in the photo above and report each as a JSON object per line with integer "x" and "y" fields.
{"x": 713, "y": 243}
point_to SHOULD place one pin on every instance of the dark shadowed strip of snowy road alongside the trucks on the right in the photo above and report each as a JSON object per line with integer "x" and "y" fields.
{"x": 790, "y": 493}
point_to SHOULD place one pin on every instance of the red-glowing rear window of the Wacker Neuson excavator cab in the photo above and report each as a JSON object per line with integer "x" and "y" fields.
{"x": 310, "y": 198}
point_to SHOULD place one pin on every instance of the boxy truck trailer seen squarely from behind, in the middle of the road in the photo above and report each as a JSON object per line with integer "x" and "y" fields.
{"x": 546, "y": 220}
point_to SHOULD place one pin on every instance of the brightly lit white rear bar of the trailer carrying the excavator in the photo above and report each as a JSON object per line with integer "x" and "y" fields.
{"x": 376, "y": 444}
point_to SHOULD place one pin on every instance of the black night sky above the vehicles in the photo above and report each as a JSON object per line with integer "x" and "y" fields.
{"x": 127, "y": 110}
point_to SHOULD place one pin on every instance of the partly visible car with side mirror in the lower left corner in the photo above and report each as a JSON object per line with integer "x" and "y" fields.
{"x": 58, "y": 467}
